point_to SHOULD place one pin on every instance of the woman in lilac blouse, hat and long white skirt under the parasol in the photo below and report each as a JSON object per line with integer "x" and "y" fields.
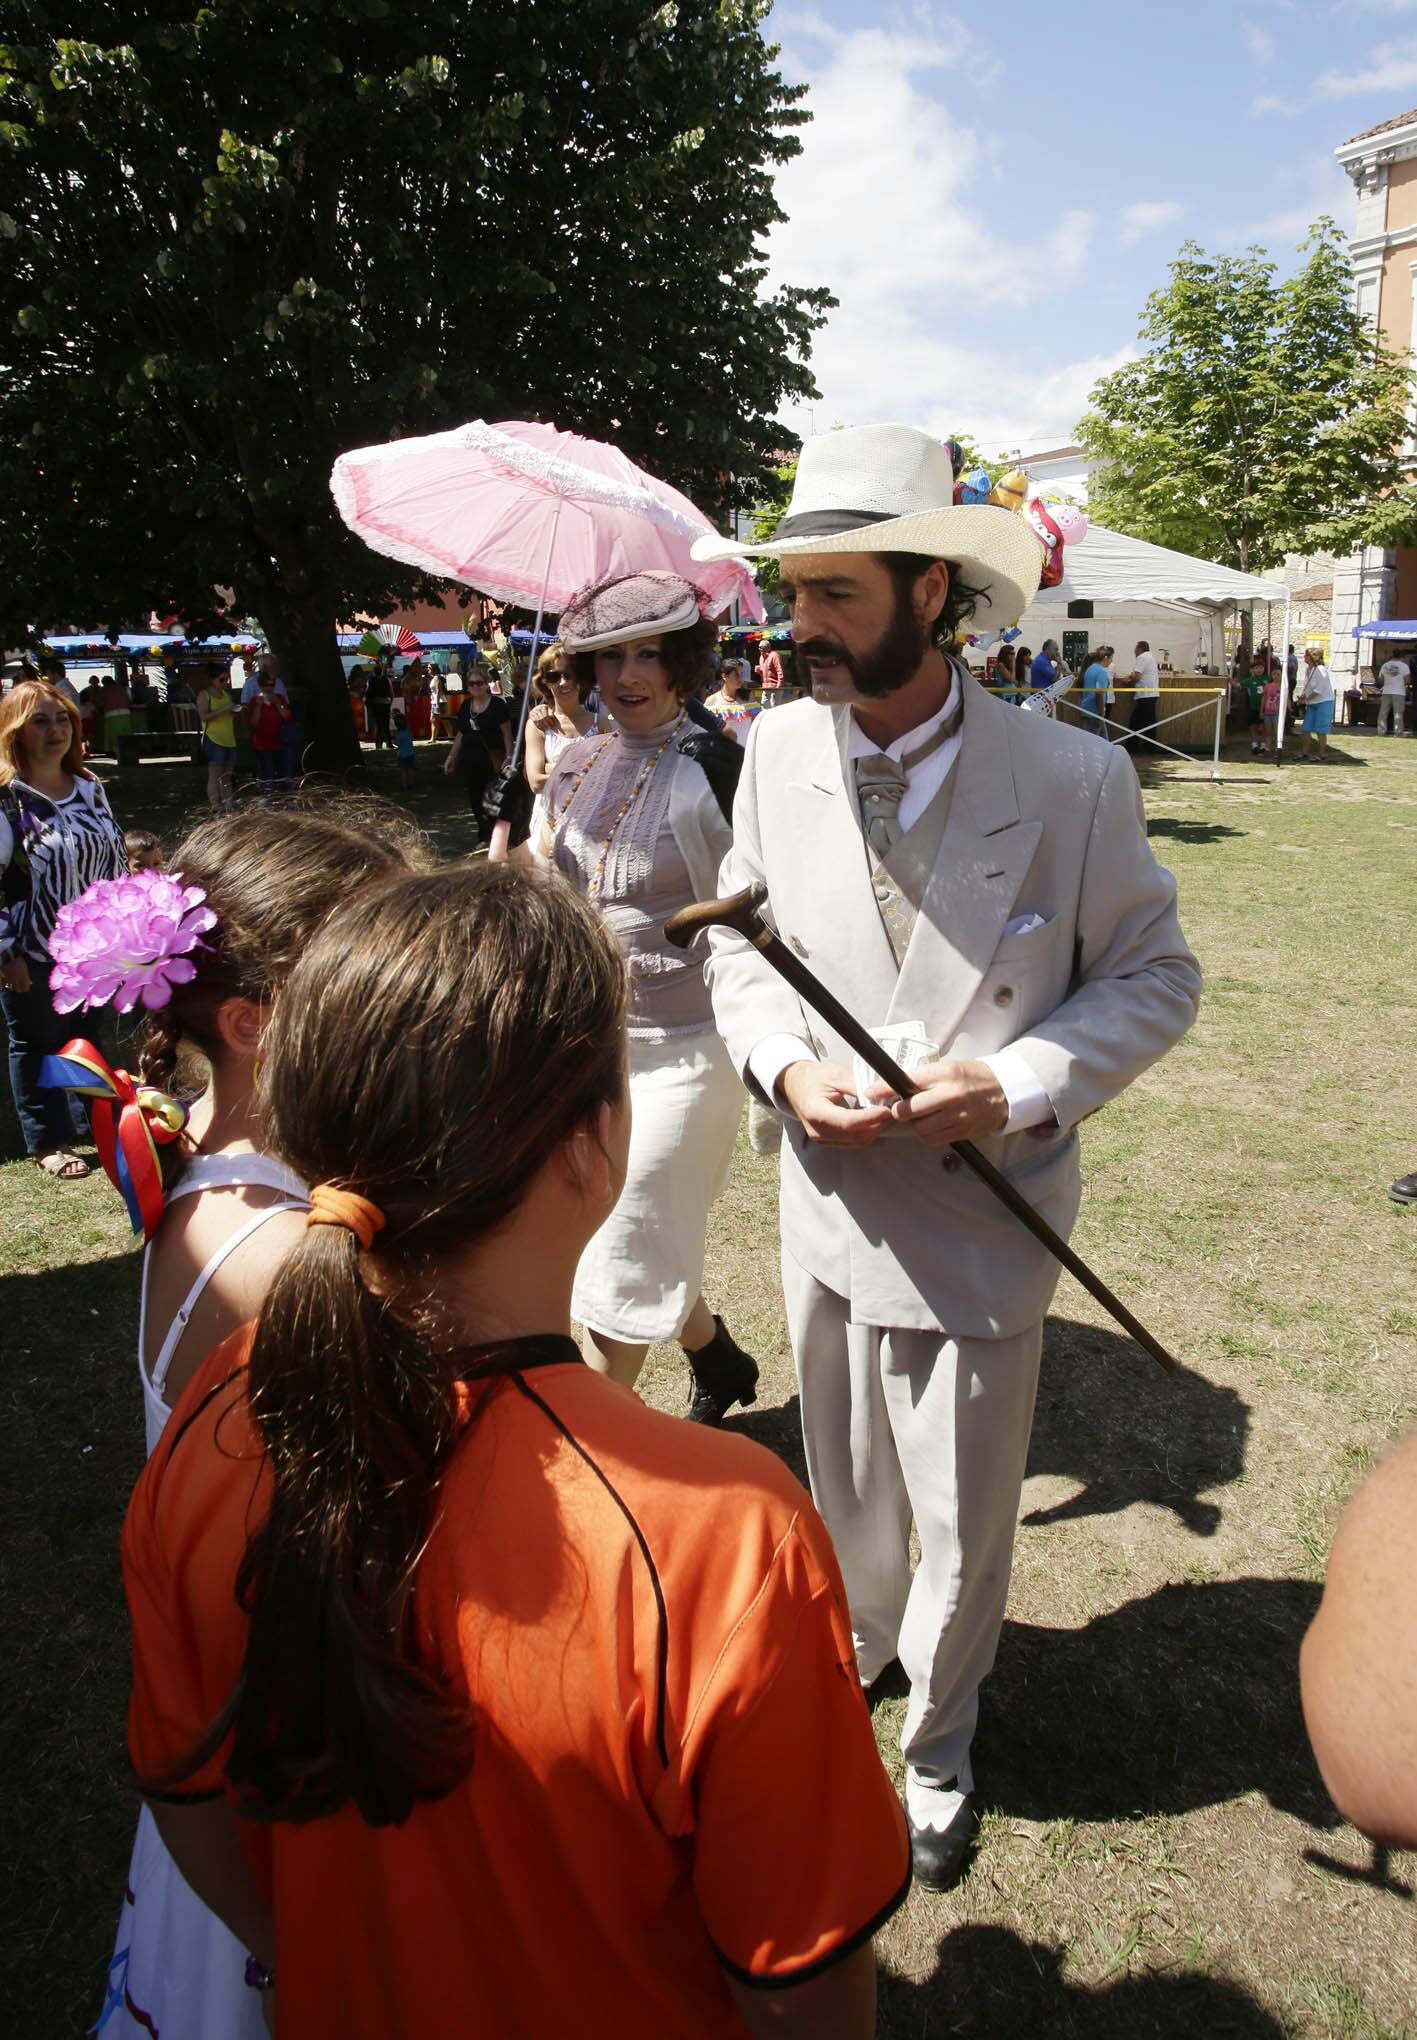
{"x": 639, "y": 823}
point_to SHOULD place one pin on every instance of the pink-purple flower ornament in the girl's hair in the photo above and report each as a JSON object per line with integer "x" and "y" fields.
{"x": 127, "y": 941}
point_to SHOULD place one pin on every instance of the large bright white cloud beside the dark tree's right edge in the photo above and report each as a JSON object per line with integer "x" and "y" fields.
{"x": 882, "y": 209}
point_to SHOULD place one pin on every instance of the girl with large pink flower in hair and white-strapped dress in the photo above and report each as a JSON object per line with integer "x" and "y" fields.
{"x": 201, "y": 954}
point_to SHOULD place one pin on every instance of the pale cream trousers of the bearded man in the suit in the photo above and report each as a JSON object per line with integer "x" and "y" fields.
{"x": 914, "y": 1425}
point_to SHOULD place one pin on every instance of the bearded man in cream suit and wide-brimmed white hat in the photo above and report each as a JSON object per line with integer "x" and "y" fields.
{"x": 980, "y": 886}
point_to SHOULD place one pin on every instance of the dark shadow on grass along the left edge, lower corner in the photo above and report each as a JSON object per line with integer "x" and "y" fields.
{"x": 74, "y": 1447}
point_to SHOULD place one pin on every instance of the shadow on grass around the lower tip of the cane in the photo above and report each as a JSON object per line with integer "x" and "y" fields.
{"x": 1112, "y": 1421}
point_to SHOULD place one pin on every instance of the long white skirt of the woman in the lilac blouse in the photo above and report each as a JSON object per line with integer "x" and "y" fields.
{"x": 643, "y": 1272}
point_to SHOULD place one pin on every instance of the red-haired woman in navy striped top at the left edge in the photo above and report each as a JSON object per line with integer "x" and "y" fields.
{"x": 56, "y": 839}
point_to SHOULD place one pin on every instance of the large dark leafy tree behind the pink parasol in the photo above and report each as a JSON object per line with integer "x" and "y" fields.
{"x": 246, "y": 236}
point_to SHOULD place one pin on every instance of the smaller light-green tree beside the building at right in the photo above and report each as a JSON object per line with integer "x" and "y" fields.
{"x": 1261, "y": 419}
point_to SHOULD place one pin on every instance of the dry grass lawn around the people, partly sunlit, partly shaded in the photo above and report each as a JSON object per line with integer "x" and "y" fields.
{"x": 1159, "y": 1855}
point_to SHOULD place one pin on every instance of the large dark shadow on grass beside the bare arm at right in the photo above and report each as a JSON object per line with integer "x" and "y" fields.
{"x": 1179, "y": 1700}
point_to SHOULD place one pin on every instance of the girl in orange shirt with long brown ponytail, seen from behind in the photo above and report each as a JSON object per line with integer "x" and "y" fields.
{"x": 460, "y": 1676}
